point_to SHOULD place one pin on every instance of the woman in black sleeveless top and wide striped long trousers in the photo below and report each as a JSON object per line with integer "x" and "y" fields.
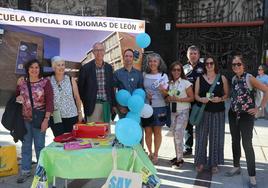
{"x": 212, "y": 124}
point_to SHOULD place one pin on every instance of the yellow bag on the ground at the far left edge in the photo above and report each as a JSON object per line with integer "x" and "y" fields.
{"x": 8, "y": 160}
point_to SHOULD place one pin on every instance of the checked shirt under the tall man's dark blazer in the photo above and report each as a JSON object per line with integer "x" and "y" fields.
{"x": 101, "y": 92}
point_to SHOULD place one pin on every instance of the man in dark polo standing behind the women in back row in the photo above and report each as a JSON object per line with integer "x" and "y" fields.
{"x": 193, "y": 55}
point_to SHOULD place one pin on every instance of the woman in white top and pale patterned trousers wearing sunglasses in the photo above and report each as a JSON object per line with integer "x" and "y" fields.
{"x": 180, "y": 95}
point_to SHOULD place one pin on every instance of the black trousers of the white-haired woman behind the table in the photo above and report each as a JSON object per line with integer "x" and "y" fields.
{"x": 64, "y": 127}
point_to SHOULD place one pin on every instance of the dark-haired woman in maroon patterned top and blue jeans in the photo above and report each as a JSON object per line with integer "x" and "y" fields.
{"x": 36, "y": 94}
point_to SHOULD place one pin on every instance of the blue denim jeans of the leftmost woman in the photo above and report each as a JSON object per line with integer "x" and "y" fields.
{"x": 38, "y": 137}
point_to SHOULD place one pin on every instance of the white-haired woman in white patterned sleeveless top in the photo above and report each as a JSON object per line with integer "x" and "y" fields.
{"x": 67, "y": 103}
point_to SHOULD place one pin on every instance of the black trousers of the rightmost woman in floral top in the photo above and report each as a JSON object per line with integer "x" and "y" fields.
{"x": 242, "y": 127}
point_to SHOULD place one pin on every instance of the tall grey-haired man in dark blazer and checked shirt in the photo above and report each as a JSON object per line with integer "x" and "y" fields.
{"x": 95, "y": 85}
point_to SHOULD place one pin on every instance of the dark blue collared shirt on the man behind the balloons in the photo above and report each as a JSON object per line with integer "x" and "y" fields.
{"x": 129, "y": 81}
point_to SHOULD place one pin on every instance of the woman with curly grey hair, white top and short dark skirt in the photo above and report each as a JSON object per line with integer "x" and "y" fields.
{"x": 155, "y": 83}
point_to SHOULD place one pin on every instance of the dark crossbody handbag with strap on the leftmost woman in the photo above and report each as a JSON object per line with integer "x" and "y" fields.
{"x": 37, "y": 115}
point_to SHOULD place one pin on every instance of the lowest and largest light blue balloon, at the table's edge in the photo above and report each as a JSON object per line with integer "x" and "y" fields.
{"x": 128, "y": 132}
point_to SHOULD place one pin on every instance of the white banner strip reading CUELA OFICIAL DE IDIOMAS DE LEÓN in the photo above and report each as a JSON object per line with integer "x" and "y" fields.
{"x": 36, "y": 19}
